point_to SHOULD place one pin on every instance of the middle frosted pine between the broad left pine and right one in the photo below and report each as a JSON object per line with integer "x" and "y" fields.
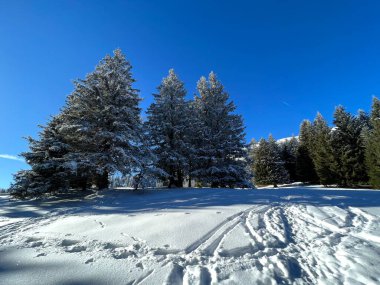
{"x": 168, "y": 122}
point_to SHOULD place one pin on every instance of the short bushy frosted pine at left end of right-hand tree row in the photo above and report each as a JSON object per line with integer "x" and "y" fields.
{"x": 268, "y": 167}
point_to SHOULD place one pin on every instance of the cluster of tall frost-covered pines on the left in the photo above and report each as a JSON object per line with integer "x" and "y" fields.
{"x": 100, "y": 132}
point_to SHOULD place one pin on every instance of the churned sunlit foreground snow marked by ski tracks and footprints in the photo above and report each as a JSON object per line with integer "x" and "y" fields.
{"x": 286, "y": 243}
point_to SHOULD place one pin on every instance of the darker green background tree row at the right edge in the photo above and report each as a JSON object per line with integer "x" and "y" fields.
{"x": 347, "y": 154}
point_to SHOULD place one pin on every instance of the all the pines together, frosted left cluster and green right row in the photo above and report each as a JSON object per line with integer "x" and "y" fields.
{"x": 99, "y": 139}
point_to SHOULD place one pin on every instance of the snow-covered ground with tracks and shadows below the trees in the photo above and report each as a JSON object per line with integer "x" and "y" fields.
{"x": 194, "y": 236}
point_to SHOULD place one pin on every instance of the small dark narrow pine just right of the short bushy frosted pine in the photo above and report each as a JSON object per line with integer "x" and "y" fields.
{"x": 289, "y": 149}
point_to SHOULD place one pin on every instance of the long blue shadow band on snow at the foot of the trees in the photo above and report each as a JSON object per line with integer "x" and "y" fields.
{"x": 126, "y": 201}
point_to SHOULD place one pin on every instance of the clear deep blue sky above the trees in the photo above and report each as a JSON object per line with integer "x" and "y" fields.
{"x": 281, "y": 61}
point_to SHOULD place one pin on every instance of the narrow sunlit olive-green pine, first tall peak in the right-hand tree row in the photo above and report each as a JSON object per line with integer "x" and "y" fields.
{"x": 322, "y": 151}
